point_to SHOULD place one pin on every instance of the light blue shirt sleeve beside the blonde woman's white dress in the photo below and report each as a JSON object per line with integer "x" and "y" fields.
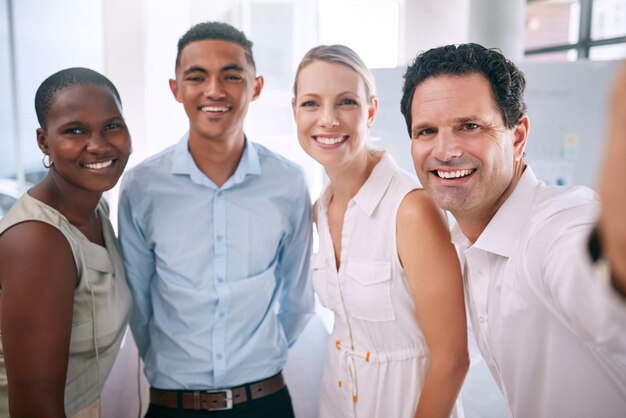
{"x": 296, "y": 298}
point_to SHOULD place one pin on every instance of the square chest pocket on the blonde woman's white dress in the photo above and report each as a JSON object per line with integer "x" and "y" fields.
{"x": 368, "y": 290}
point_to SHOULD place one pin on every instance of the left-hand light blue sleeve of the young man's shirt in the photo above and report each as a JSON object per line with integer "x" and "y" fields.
{"x": 138, "y": 261}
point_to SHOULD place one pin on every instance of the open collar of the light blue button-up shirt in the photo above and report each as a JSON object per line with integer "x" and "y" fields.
{"x": 182, "y": 163}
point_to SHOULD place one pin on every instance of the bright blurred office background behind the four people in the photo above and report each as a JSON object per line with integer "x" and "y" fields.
{"x": 567, "y": 49}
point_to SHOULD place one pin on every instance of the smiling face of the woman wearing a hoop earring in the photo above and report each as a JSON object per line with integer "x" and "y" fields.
{"x": 86, "y": 137}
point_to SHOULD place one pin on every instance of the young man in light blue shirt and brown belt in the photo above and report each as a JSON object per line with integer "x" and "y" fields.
{"x": 216, "y": 235}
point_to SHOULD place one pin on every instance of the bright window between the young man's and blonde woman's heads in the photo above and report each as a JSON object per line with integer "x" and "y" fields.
{"x": 282, "y": 31}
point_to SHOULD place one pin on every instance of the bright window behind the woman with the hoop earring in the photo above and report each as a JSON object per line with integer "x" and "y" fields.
{"x": 42, "y": 42}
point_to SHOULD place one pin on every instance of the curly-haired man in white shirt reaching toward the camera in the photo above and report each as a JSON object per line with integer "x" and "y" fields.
{"x": 549, "y": 320}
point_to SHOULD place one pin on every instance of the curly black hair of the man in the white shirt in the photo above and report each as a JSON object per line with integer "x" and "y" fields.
{"x": 506, "y": 80}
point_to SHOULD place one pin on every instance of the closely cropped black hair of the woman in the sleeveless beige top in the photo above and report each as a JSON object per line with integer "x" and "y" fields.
{"x": 69, "y": 77}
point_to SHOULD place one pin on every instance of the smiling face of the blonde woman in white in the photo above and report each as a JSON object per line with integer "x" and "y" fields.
{"x": 333, "y": 113}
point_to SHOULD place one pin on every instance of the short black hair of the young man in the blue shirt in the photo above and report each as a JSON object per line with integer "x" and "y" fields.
{"x": 215, "y": 31}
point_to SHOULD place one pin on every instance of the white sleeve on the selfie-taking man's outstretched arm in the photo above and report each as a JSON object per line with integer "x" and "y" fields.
{"x": 576, "y": 288}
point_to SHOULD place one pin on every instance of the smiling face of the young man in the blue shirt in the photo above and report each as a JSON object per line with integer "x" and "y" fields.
{"x": 215, "y": 83}
